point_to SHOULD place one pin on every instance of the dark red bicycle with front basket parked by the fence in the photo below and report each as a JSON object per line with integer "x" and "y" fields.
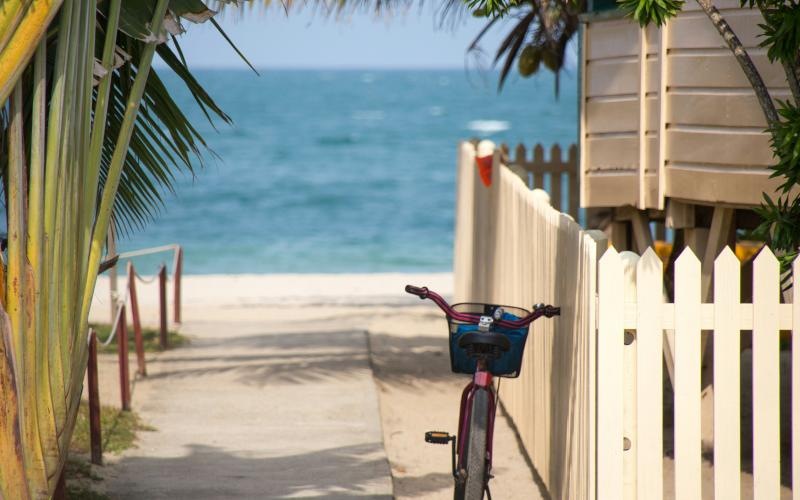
{"x": 486, "y": 341}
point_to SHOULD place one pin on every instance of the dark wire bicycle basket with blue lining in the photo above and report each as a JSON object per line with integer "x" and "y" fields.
{"x": 509, "y": 363}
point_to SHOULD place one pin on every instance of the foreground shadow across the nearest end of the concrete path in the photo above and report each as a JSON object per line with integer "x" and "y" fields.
{"x": 212, "y": 473}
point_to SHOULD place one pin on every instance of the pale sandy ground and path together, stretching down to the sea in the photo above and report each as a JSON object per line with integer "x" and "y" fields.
{"x": 351, "y": 361}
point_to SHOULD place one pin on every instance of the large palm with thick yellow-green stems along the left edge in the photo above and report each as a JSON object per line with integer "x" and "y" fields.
{"x": 89, "y": 133}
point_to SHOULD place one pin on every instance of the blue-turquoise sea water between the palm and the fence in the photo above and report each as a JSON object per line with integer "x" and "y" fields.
{"x": 342, "y": 171}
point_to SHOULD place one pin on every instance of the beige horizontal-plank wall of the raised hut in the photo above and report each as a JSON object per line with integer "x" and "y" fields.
{"x": 712, "y": 127}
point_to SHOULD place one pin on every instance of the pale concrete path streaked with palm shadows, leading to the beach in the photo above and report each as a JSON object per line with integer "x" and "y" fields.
{"x": 274, "y": 403}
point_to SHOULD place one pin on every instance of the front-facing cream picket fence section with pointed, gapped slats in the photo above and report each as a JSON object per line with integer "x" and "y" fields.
{"x": 633, "y": 323}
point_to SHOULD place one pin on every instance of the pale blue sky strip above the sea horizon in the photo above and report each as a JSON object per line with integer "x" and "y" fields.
{"x": 302, "y": 39}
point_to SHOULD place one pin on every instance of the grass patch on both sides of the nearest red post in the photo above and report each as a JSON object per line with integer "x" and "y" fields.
{"x": 117, "y": 428}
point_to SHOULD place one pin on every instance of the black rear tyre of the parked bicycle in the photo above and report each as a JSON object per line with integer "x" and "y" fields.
{"x": 472, "y": 487}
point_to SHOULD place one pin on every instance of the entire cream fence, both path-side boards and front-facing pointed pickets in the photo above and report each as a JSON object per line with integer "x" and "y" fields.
{"x": 589, "y": 403}
